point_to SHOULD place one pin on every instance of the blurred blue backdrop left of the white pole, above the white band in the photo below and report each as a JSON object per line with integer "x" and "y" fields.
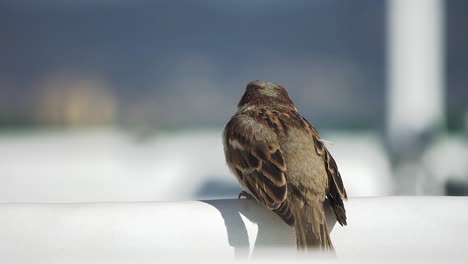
{"x": 186, "y": 63}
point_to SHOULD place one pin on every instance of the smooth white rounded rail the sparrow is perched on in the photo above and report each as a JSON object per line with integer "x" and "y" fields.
{"x": 420, "y": 227}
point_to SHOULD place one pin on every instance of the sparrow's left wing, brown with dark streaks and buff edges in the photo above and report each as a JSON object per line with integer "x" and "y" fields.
{"x": 258, "y": 164}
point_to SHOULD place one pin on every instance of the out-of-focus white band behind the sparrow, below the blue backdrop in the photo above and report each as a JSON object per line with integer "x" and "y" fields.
{"x": 110, "y": 165}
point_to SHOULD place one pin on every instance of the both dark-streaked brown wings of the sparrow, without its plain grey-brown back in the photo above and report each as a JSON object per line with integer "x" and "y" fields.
{"x": 260, "y": 166}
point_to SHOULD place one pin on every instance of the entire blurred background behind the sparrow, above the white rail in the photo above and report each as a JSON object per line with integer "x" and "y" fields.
{"x": 126, "y": 100}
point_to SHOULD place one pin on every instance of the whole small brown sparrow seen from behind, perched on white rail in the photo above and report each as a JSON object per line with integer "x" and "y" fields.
{"x": 280, "y": 160}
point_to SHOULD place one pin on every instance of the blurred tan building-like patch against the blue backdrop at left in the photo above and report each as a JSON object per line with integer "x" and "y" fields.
{"x": 75, "y": 100}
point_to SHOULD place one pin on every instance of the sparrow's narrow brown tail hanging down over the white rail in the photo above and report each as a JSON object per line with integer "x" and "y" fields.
{"x": 311, "y": 229}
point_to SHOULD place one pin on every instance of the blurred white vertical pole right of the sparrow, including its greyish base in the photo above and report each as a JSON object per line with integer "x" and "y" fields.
{"x": 415, "y": 92}
